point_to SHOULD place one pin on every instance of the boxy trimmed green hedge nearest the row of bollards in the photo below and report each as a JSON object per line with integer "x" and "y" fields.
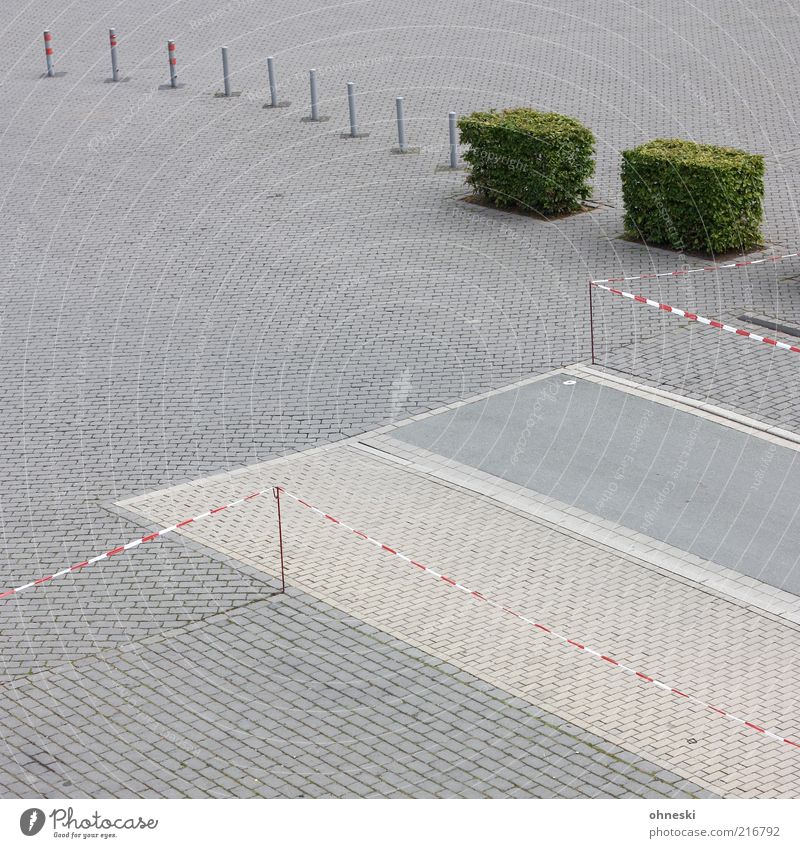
{"x": 536, "y": 161}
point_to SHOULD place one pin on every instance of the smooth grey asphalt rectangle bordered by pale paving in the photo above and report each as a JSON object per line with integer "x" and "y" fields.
{"x": 703, "y": 487}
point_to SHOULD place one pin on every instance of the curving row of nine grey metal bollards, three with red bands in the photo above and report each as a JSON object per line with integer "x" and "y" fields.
{"x": 402, "y": 145}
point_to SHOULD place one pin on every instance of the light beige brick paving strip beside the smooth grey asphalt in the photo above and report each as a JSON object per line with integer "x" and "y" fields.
{"x": 666, "y": 626}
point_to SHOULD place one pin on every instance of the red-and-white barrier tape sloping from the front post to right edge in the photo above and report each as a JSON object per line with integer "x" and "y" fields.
{"x": 610, "y": 661}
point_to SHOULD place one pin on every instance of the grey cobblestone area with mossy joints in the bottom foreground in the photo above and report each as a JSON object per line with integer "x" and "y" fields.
{"x": 290, "y": 698}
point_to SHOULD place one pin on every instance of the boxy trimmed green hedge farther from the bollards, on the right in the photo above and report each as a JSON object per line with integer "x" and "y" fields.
{"x": 693, "y": 196}
